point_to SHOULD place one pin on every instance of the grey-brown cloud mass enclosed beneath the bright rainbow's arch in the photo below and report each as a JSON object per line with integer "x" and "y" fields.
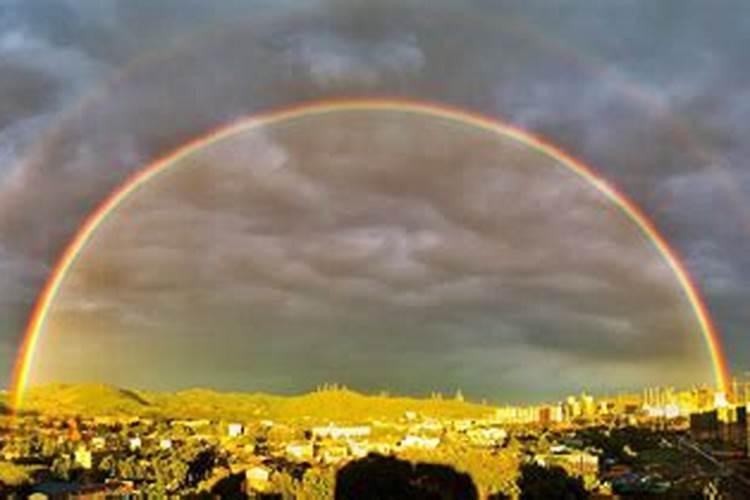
{"x": 354, "y": 233}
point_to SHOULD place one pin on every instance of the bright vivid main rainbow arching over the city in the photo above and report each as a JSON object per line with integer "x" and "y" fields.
{"x": 35, "y": 326}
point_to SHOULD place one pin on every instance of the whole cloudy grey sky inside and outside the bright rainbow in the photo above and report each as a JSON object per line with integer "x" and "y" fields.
{"x": 428, "y": 267}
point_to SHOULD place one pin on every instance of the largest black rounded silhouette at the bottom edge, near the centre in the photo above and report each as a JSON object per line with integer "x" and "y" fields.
{"x": 385, "y": 478}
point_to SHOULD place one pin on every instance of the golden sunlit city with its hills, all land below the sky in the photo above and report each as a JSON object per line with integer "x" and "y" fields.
{"x": 105, "y": 439}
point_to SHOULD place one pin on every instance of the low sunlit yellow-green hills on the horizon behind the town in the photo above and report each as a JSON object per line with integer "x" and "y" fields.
{"x": 339, "y": 405}
